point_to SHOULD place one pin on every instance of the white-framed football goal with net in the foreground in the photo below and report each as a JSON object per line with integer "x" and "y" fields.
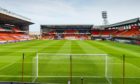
{"x": 72, "y": 67}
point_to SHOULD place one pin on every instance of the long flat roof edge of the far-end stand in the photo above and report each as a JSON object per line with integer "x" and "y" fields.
{"x": 67, "y": 25}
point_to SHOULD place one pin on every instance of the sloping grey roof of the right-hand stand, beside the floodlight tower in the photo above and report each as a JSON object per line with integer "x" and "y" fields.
{"x": 123, "y": 23}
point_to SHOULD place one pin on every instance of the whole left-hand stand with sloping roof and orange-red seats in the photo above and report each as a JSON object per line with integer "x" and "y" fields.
{"x": 13, "y": 27}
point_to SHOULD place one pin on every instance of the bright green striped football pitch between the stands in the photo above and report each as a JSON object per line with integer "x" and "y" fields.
{"x": 59, "y": 61}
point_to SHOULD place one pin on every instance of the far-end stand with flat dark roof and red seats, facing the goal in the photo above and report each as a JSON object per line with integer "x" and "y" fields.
{"x": 66, "y": 32}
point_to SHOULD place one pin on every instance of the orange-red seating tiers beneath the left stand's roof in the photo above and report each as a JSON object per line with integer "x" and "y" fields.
{"x": 8, "y": 34}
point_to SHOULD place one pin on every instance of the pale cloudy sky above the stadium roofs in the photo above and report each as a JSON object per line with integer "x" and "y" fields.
{"x": 72, "y": 11}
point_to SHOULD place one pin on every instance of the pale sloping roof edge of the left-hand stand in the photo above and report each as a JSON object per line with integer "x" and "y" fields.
{"x": 7, "y": 13}
